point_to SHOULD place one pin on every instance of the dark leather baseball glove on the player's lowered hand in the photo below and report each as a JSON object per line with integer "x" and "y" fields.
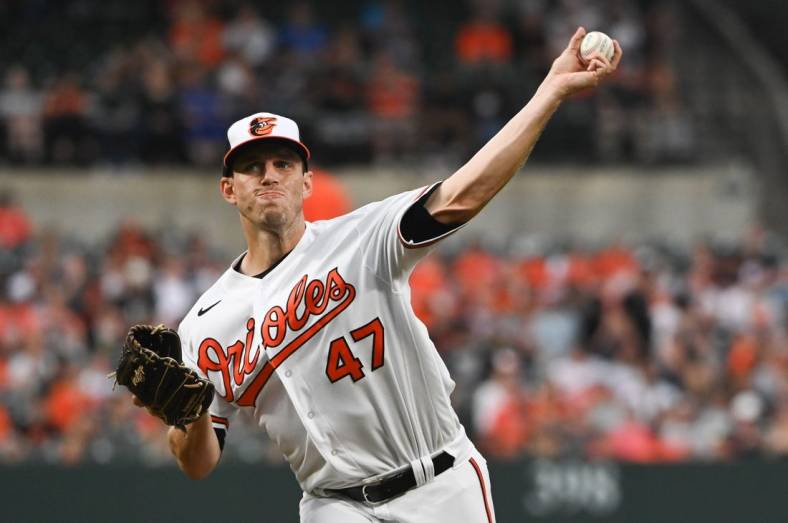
{"x": 150, "y": 367}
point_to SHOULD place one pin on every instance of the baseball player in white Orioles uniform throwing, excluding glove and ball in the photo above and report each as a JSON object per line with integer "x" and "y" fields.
{"x": 311, "y": 329}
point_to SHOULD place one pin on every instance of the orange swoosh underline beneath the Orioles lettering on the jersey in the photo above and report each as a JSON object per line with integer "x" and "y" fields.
{"x": 249, "y": 396}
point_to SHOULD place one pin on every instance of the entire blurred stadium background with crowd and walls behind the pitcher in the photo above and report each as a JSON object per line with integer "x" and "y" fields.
{"x": 615, "y": 321}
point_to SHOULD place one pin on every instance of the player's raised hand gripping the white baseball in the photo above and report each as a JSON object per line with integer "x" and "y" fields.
{"x": 569, "y": 74}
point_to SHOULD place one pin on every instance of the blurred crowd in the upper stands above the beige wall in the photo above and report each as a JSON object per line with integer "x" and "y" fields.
{"x": 115, "y": 83}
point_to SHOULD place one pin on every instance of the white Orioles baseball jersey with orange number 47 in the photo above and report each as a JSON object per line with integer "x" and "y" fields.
{"x": 326, "y": 350}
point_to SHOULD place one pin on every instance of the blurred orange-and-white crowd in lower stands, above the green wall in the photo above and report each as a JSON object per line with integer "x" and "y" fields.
{"x": 644, "y": 353}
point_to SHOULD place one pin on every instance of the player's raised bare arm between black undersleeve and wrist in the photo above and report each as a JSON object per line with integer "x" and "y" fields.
{"x": 467, "y": 191}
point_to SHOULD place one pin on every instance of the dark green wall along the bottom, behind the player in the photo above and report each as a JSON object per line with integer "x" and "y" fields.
{"x": 538, "y": 491}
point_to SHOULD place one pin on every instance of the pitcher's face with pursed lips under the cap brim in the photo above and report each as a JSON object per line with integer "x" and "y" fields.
{"x": 268, "y": 185}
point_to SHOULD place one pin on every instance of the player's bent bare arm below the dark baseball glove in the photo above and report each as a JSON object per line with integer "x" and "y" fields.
{"x": 197, "y": 450}
